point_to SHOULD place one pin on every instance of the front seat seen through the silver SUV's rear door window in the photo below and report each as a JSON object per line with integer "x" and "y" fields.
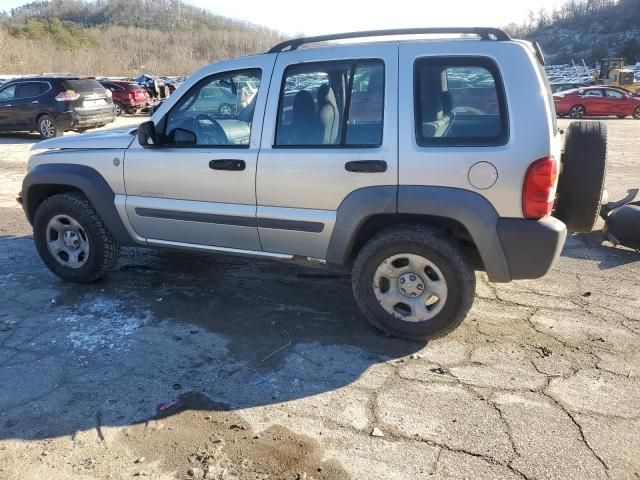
{"x": 305, "y": 128}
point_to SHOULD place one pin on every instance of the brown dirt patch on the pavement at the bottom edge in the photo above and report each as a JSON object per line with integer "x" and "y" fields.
{"x": 218, "y": 444}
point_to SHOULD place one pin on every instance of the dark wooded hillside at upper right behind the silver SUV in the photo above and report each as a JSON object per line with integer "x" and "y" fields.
{"x": 589, "y": 29}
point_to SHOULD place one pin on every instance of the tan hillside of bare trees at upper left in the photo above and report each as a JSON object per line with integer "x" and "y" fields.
{"x": 122, "y": 37}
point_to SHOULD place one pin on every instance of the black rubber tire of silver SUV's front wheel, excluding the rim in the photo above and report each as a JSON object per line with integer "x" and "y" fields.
{"x": 104, "y": 250}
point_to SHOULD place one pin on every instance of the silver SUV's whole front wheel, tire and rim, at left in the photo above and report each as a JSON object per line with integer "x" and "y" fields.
{"x": 72, "y": 240}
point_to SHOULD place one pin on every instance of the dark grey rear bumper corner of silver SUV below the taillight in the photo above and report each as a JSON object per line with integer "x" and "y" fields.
{"x": 531, "y": 247}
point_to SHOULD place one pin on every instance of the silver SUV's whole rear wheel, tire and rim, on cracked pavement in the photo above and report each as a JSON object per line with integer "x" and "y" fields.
{"x": 413, "y": 282}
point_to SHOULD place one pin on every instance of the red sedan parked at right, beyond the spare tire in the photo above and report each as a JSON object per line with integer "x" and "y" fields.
{"x": 597, "y": 101}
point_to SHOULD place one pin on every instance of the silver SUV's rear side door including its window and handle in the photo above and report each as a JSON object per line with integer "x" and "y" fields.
{"x": 330, "y": 129}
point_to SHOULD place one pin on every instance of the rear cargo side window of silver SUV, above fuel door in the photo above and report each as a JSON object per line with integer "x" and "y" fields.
{"x": 459, "y": 102}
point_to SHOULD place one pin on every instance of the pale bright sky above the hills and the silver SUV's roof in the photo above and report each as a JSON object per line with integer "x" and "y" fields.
{"x": 331, "y": 16}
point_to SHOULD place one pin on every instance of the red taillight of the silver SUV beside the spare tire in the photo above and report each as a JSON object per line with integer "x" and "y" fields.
{"x": 539, "y": 189}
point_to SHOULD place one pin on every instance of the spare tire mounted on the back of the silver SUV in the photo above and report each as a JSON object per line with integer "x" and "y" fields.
{"x": 581, "y": 183}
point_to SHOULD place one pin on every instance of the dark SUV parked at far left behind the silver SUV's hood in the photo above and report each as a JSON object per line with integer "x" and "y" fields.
{"x": 53, "y": 104}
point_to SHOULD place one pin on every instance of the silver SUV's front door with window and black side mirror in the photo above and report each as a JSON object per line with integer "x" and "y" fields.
{"x": 198, "y": 188}
